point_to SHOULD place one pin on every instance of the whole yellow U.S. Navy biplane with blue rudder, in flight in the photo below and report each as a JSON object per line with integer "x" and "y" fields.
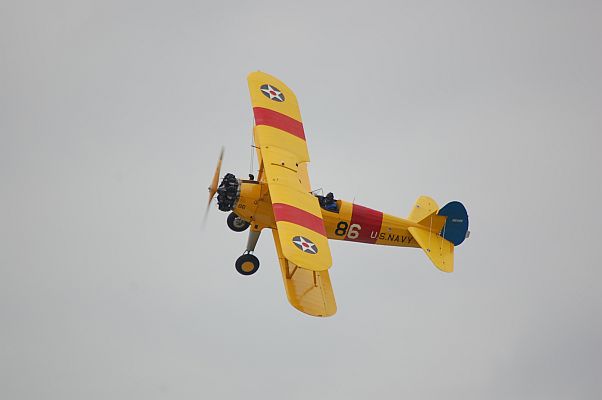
{"x": 302, "y": 222}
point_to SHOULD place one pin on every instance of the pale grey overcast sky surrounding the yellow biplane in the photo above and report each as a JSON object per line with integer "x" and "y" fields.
{"x": 111, "y": 118}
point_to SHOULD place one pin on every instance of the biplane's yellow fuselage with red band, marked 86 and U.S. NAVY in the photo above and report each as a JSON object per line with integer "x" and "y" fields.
{"x": 352, "y": 222}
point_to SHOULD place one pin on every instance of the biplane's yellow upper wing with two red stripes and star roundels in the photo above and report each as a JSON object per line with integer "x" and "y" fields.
{"x": 280, "y": 139}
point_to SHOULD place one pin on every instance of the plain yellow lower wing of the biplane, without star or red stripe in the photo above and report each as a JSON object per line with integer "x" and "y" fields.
{"x": 308, "y": 291}
